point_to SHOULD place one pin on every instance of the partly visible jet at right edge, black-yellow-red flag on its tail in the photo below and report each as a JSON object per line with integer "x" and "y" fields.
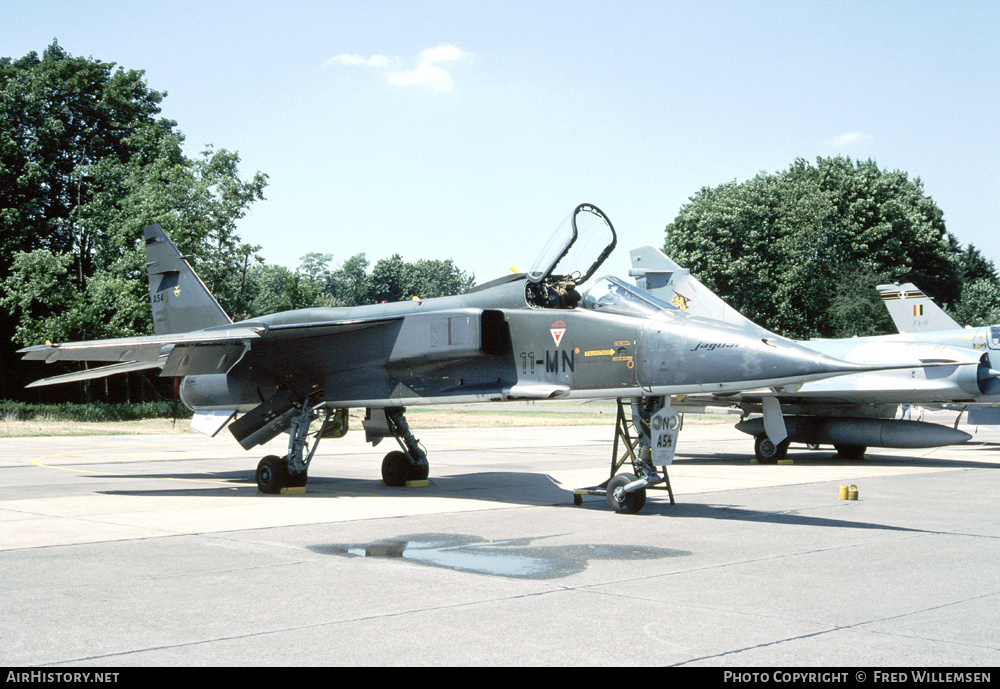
{"x": 921, "y": 320}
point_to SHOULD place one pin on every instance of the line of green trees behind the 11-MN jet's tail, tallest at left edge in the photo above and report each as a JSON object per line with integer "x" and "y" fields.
{"x": 86, "y": 161}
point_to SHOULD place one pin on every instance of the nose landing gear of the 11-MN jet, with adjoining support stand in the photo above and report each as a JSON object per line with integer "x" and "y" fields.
{"x": 626, "y": 492}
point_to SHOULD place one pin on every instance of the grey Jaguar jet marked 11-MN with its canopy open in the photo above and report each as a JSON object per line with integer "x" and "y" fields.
{"x": 527, "y": 336}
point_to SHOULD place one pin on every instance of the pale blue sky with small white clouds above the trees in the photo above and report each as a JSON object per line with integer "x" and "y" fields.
{"x": 468, "y": 130}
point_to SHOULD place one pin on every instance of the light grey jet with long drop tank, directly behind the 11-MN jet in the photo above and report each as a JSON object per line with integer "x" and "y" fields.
{"x": 850, "y": 412}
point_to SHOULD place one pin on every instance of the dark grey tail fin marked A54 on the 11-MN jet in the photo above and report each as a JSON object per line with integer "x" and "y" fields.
{"x": 181, "y": 302}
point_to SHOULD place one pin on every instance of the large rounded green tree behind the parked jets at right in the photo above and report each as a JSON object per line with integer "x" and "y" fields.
{"x": 799, "y": 251}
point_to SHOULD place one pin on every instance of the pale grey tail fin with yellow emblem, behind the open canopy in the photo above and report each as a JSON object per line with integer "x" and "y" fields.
{"x": 655, "y": 273}
